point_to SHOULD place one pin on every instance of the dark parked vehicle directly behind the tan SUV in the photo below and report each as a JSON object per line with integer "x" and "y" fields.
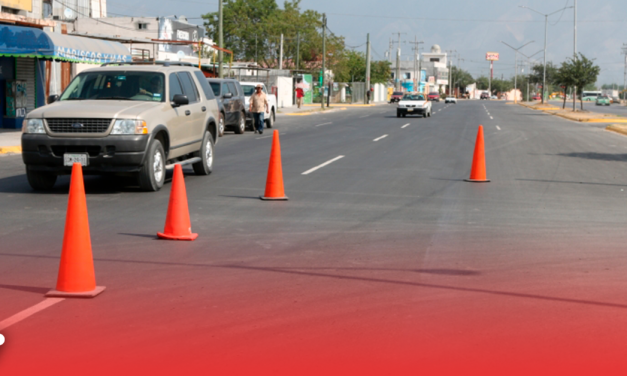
{"x": 231, "y": 101}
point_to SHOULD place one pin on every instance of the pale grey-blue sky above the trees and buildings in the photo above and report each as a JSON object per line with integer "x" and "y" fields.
{"x": 469, "y": 27}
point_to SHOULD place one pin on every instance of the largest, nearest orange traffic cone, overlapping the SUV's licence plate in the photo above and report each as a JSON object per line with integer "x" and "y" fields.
{"x": 76, "y": 269}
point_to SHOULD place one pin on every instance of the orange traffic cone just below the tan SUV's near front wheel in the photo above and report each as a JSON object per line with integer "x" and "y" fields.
{"x": 177, "y": 223}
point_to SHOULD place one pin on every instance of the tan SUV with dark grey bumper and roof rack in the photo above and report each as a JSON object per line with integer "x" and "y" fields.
{"x": 124, "y": 119}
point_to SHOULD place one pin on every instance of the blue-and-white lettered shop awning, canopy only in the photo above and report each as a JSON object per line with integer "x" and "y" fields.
{"x": 18, "y": 41}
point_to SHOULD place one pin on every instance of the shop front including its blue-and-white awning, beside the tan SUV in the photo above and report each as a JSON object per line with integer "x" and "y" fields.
{"x": 23, "y": 52}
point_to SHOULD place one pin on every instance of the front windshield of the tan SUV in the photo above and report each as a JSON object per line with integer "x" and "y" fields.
{"x": 119, "y": 85}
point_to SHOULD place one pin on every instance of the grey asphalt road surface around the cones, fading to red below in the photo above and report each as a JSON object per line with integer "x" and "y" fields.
{"x": 382, "y": 262}
